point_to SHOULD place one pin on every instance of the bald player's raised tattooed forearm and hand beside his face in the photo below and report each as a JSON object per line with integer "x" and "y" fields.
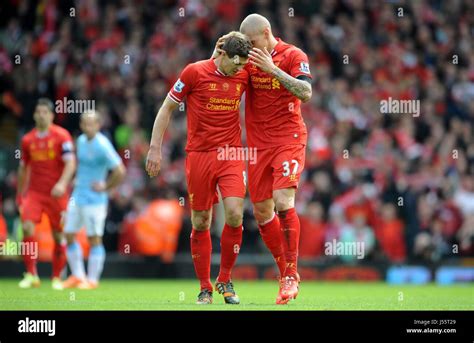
{"x": 300, "y": 88}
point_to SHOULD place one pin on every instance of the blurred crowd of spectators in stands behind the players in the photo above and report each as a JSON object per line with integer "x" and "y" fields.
{"x": 403, "y": 185}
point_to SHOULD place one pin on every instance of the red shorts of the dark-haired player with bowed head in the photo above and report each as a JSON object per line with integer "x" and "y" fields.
{"x": 204, "y": 172}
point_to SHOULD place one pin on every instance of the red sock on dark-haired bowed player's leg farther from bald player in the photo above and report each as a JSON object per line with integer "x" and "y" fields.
{"x": 201, "y": 249}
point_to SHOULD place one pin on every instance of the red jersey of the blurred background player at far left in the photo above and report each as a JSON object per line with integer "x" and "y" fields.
{"x": 44, "y": 152}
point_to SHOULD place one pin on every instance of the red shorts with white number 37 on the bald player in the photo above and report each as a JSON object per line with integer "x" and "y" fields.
{"x": 275, "y": 168}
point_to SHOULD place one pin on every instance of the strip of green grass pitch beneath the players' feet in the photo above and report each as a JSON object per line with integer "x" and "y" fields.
{"x": 134, "y": 294}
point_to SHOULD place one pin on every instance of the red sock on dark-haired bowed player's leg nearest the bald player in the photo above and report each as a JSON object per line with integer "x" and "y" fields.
{"x": 231, "y": 240}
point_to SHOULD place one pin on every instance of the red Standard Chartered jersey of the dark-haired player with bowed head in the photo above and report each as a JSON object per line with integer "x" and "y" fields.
{"x": 213, "y": 102}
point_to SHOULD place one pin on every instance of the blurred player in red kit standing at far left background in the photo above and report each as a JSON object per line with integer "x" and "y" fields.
{"x": 46, "y": 168}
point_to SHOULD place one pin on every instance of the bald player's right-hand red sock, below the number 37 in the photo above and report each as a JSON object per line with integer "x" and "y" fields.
{"x": 290, "y": 227}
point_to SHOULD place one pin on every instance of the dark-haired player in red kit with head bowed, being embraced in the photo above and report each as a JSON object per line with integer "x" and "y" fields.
{"x": 212, "y": 89}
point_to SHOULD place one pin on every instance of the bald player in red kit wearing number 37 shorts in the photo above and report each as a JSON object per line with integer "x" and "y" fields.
{"x": 279, "y": 80}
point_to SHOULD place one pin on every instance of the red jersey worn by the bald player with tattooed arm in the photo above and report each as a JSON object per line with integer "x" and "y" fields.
{"x": 272, "y": 114}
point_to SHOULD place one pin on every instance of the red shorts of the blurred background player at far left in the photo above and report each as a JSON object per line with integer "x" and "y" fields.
{"x": 34, "y": 204}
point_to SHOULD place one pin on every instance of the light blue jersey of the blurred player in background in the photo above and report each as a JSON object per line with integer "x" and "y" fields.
{"x": 95, "y": 158}
